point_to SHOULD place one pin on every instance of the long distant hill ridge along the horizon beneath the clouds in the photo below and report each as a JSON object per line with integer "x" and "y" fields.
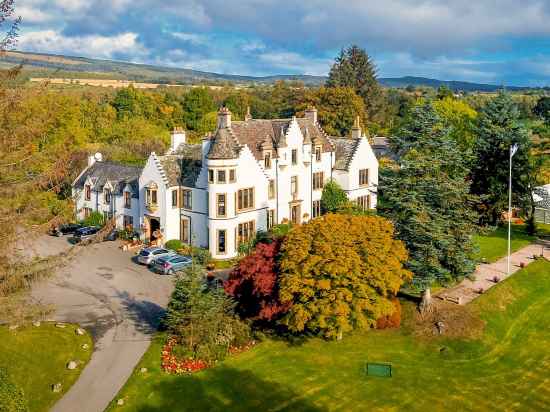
{"x": 49, "y": 65}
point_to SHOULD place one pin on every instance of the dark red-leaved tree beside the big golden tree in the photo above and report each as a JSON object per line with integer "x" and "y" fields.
{"x": 253, "y": 283}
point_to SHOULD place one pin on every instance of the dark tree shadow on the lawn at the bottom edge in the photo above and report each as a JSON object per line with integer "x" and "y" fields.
{"x": 226, "y": 389}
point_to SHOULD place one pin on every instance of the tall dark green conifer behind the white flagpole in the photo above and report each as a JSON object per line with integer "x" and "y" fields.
{"x": 498, "y": 127}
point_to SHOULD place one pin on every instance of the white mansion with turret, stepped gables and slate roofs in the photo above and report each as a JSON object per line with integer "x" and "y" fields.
{"x": 245, "y": 177}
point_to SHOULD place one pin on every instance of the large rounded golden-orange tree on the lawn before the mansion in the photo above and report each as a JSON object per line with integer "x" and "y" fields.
{"x": 339, "y": 272}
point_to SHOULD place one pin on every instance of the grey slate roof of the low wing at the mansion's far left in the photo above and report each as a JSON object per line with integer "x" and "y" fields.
{"x": 117, "y": 174}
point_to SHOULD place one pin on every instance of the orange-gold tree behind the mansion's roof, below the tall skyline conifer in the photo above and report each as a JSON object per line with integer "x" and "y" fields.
{"x": 337, "y": 107}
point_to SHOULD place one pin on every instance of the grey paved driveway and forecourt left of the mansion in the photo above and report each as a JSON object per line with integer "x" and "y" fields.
{"x": 119, "y": 303}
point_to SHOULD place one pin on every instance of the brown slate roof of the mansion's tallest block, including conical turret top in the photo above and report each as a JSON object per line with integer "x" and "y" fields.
{"x": 227, "y": 142}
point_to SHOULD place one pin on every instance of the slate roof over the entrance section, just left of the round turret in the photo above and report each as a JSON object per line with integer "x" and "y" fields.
{"x": 182, "y": 168}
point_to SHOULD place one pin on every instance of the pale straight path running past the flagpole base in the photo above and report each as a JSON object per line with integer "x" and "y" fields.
{"x": 483, "y": 277}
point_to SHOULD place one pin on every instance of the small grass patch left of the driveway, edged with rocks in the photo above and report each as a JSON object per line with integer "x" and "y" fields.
{"x": 36, "y": 357}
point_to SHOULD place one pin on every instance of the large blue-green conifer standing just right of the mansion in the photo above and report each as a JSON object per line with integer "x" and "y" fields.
{"x": 427, "y": 197}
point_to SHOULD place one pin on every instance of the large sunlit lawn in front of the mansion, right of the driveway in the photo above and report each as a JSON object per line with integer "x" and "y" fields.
{"x": 504, "y": 369}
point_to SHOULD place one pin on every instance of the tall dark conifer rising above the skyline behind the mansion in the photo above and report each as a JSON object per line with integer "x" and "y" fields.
{"x": 354, "y": 68}
